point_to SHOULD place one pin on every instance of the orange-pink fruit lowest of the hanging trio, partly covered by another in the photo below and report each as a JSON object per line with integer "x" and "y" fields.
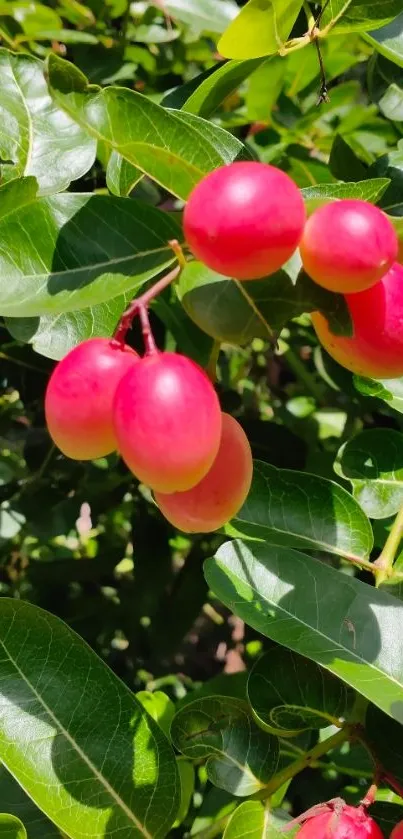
{"x": 221, "y": 493}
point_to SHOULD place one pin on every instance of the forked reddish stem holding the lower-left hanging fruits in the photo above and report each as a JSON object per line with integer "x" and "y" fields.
{"x": 140, "y": 305}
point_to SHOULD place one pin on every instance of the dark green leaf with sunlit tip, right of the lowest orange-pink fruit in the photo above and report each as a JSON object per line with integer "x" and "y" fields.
{"x": 304, "y": 511}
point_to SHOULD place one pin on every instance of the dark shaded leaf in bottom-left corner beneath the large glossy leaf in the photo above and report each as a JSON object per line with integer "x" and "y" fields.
{"x": 15, "y": 801}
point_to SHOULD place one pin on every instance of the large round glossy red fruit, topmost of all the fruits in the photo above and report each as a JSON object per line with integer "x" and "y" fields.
{"x": 244, "y": 220}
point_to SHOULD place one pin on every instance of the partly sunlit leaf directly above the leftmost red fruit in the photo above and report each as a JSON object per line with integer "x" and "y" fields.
{"x": 54, "y": 335}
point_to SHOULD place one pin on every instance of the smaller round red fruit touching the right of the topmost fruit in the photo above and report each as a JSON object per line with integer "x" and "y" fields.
{"x": 348, "y": 245}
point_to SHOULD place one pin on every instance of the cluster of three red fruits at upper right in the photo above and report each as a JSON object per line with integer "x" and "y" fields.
{"x": 246, "y": 220}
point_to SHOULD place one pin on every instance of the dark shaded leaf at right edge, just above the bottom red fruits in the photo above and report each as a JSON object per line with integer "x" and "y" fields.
{"x": 386, "y": 738}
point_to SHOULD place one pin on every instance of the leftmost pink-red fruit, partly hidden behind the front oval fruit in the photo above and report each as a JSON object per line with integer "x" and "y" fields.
{"x": 79, "y": 398}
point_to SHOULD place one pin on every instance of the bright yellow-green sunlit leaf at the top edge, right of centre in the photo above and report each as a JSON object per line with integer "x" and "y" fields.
{"x": 261, "y": 28}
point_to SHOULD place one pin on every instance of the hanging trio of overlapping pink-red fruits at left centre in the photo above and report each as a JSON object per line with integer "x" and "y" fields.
{"x": 162, "y": 414}
